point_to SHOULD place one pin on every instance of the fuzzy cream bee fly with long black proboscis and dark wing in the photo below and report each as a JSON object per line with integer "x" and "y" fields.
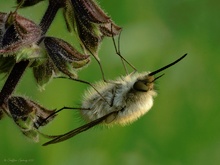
{"x": 119, "y": 102}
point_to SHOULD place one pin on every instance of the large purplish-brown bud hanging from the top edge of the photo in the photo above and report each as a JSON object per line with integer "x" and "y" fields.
{"x": 90, "y": 23}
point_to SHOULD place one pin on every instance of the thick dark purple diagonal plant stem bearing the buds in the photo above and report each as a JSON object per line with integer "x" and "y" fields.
{"x": 20, "y": 67}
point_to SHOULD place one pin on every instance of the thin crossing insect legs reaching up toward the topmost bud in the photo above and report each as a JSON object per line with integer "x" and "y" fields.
{"x": 118, "y": 52}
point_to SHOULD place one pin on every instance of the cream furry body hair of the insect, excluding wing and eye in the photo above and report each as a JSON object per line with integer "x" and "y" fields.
{"x": 120, "y": 95}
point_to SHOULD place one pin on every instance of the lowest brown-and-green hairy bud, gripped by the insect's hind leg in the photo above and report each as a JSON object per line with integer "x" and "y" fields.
{"x": 28, "y": 115}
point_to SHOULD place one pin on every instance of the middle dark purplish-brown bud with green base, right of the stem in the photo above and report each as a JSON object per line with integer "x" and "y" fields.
{"x": 61, "y": 58}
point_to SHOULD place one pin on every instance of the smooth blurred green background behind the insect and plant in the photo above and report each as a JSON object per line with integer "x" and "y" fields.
{"x": 183, "y": 127}
